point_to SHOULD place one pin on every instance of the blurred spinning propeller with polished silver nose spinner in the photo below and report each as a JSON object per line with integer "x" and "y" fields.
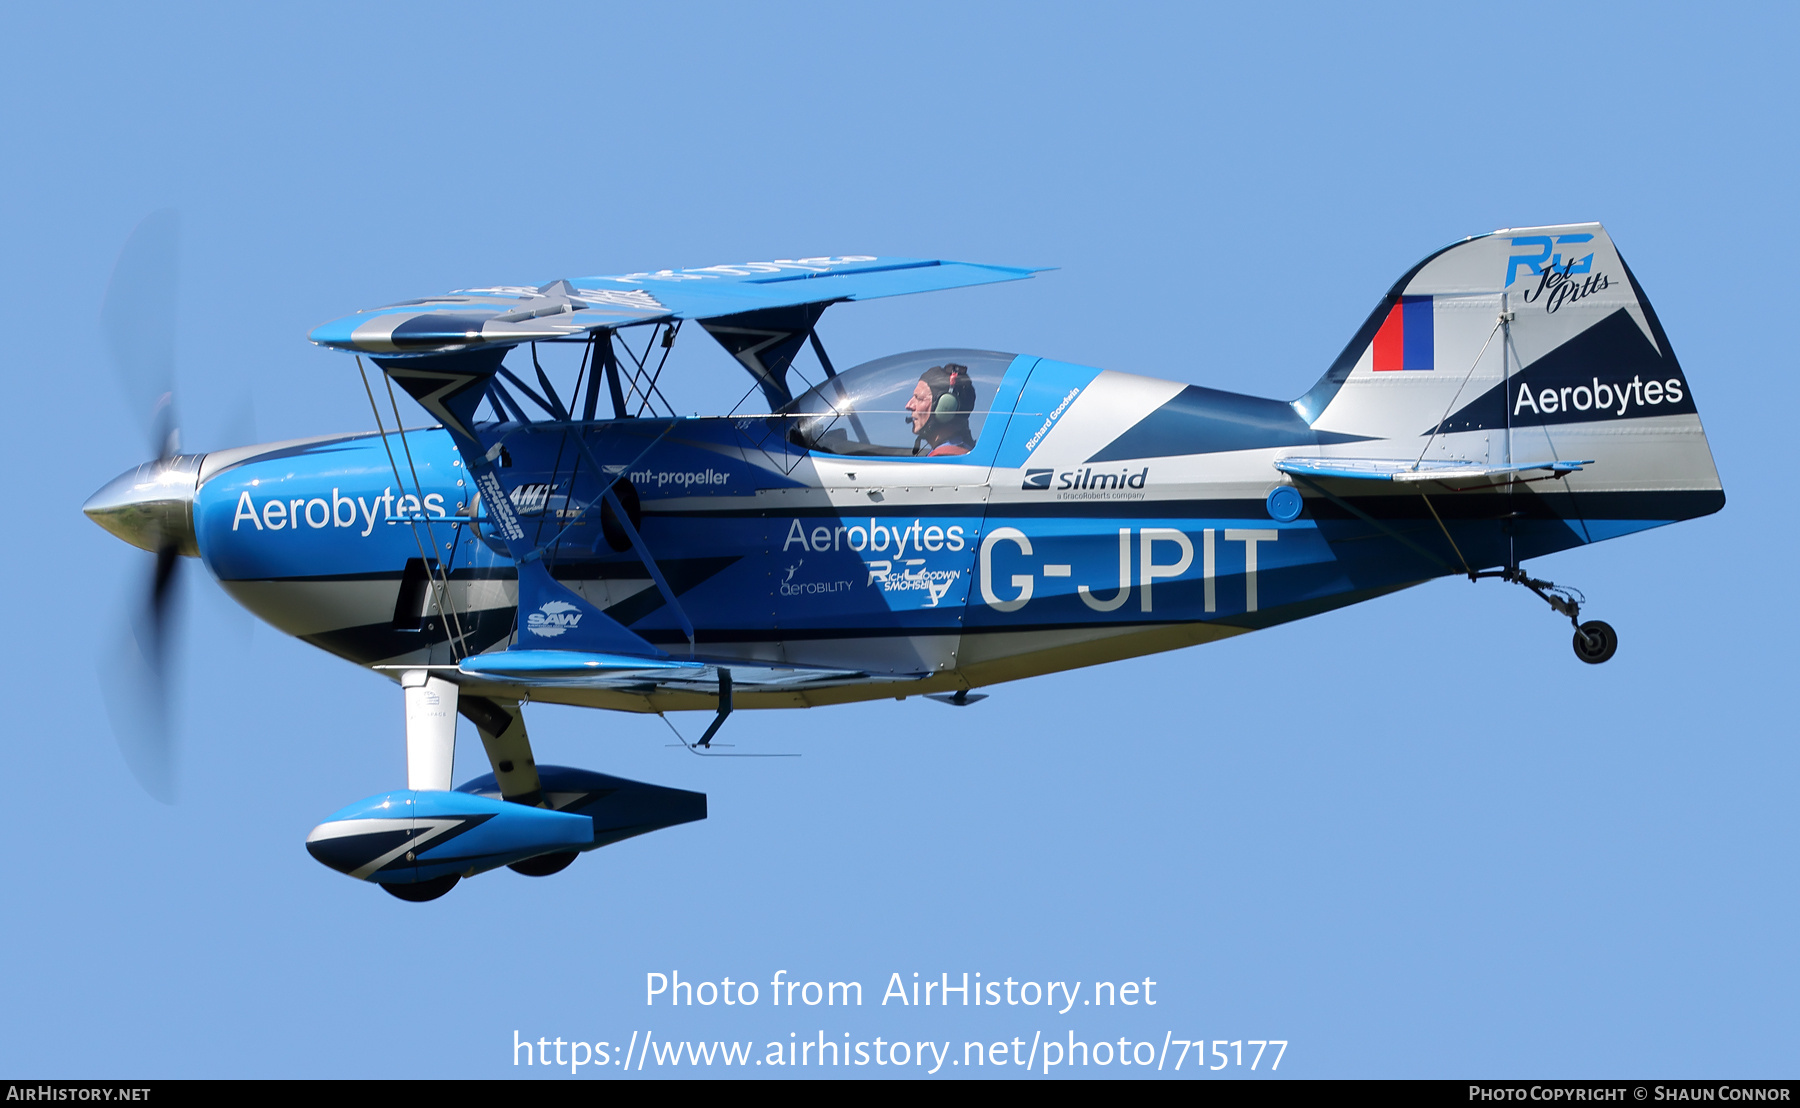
{"x": 152, "y": 506}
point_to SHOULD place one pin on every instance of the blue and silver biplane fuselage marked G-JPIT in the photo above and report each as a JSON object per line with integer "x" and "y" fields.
{"x": 1099, "y": 517}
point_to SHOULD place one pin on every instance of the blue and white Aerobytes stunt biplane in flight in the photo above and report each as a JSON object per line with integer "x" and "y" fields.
{"x": 926, "y": 524}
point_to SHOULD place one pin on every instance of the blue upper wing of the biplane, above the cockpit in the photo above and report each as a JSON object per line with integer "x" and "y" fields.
{"x": 510, "y": 316}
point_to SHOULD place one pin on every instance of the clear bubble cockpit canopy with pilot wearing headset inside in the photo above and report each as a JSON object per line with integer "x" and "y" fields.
{"x": 865, "y": 411}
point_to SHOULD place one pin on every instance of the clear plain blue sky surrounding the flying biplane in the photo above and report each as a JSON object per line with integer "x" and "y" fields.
{"x": 1412, "y": 839}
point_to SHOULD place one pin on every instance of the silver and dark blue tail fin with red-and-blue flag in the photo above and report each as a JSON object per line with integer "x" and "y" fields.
{"x": 1529, "y": 346}
